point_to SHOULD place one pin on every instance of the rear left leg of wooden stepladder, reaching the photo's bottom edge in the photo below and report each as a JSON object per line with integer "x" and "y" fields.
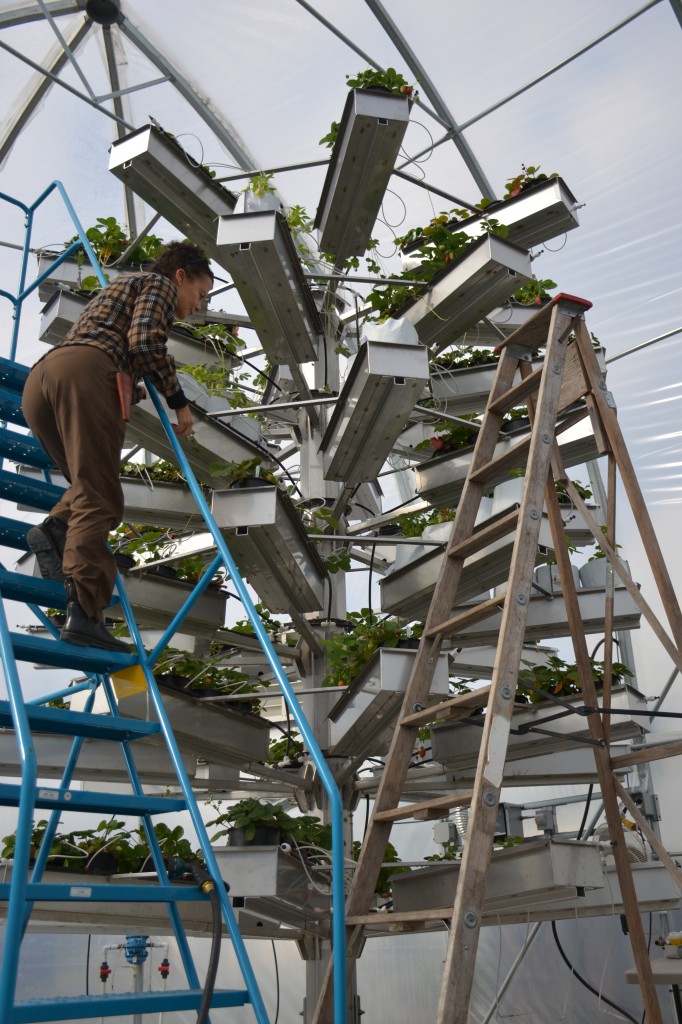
{"x": 605, "y": 773}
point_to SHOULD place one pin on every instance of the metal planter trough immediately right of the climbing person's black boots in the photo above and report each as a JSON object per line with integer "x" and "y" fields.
{"x": 157, "y": 600}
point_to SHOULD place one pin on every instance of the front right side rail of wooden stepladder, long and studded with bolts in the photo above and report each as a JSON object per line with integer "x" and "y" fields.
{"x": 463, "y": 940}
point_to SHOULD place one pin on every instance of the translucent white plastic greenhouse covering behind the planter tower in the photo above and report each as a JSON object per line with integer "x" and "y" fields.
{"x": 588, "y": 91}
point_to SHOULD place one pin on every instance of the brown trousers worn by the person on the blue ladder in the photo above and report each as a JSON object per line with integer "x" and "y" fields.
{"x": 72, "y": 406}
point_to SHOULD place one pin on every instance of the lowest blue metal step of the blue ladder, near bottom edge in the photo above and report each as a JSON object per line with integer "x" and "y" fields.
{"x": 80, "y": 1007}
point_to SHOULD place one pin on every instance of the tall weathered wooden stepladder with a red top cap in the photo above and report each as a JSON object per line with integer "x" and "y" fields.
{"x": 570, "y": 373}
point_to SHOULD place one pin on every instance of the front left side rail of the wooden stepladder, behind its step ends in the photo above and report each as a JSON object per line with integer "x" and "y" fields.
{"x": 400, "y": 753}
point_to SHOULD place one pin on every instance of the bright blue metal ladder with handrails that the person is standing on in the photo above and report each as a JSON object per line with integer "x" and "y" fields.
{"x": 27, "y": 886}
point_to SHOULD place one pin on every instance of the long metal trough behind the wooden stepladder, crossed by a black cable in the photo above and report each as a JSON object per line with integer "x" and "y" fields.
{"x": 456, "y": 745}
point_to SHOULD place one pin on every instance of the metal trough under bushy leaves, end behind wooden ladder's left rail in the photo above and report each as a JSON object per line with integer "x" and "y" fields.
{"x": 363, "y": 721}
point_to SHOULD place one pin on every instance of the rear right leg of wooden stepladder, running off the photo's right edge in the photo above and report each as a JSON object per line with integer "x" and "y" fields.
{"x": 632, "y": 488}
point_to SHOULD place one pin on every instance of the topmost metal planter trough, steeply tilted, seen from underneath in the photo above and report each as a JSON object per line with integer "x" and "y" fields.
{"x": 367, "y": 147}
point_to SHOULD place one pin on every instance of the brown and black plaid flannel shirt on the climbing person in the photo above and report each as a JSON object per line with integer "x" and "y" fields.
{"x": 131, "y": 321}
